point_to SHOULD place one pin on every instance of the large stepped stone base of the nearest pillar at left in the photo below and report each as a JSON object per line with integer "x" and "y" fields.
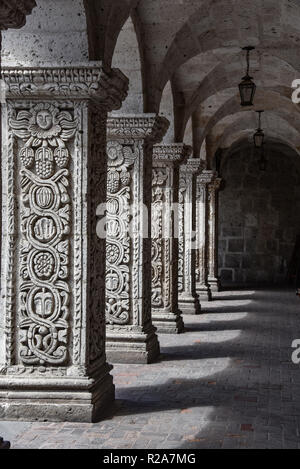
{"x": 61, "y": 399}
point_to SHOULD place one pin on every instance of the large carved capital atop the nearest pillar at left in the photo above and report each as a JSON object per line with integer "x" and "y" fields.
{"x": 107, "y": 88}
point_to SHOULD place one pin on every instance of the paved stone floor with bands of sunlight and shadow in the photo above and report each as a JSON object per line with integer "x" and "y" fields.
{"x": 228, "y": 382}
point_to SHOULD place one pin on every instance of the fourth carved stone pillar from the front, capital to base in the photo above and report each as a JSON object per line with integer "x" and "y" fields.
{"x": 188, "y": 298}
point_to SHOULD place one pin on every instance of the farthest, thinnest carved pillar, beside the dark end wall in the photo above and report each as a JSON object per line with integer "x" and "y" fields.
{"x": 213, "y": 279}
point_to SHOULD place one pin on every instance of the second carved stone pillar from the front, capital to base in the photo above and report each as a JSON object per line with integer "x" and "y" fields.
{"x": 130, "y": 333}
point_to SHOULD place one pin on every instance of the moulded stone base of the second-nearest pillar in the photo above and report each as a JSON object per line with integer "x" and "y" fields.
{"x": 136, "y": 347}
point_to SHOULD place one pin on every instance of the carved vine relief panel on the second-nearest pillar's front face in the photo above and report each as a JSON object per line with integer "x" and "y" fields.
{"x": 118, "y": 249}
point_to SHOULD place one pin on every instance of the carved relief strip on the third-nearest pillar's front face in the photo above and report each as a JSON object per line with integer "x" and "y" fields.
{"x": 159, "y": 178}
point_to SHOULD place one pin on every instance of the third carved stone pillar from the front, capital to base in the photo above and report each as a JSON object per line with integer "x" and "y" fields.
{"x": 166, "y": 315}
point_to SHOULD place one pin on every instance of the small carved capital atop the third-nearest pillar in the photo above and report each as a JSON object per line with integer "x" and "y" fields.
{"x": 170, "y": 154}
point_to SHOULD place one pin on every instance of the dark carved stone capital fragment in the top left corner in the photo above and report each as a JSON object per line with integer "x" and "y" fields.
{"x": 13, "y": 13}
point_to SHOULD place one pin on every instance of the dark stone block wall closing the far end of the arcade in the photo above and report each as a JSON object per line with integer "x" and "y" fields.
{"x": 258, "y": 218}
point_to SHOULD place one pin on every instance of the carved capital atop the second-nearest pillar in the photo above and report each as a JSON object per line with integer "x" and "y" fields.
{"x": 137, "y": 127}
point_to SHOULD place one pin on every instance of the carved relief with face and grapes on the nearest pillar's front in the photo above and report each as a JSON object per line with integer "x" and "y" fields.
{"x": 44, "y": 131}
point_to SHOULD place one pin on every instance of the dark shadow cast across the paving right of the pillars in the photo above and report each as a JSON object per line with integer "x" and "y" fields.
{"x": 253, "y": 397}
